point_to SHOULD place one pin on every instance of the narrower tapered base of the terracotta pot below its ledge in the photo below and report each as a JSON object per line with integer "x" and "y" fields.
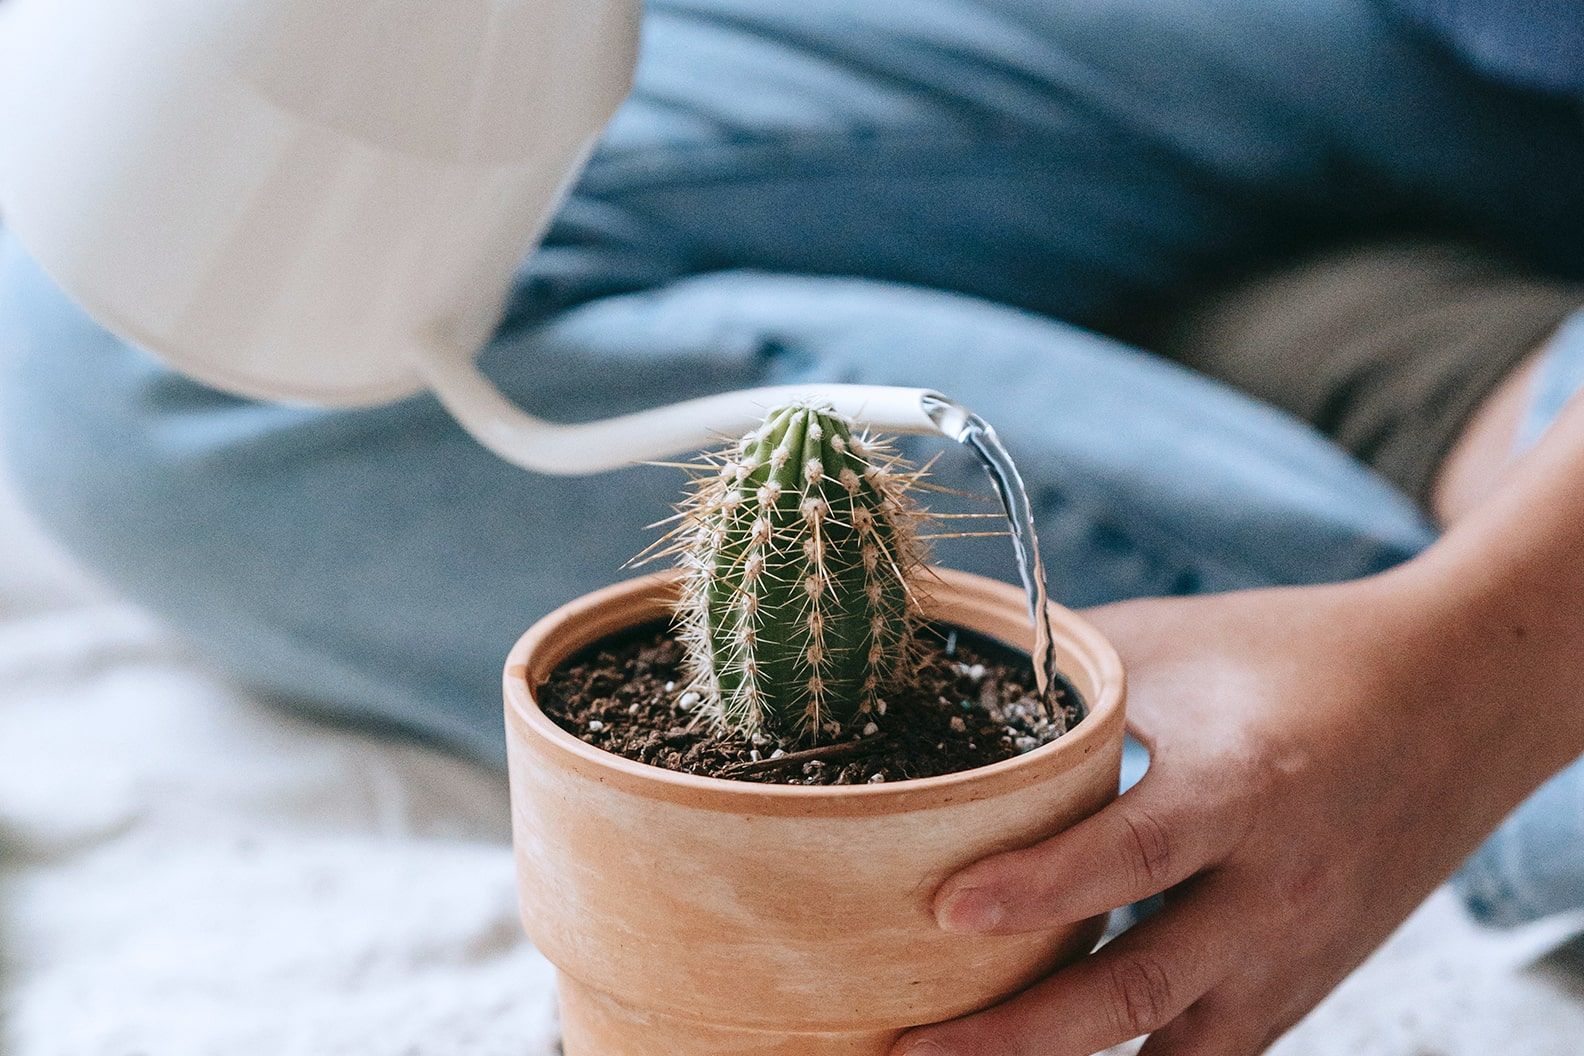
{"x": 596, "y": 1025}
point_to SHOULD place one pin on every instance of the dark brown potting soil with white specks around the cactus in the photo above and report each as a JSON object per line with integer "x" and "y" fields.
{"x": 972, "y": 705}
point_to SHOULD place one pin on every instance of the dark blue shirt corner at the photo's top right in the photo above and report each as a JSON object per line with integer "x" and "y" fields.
{"x": 1534, "y": 44}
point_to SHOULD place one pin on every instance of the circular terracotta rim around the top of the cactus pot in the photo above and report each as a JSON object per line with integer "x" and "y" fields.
{"x": 576, "y": 626}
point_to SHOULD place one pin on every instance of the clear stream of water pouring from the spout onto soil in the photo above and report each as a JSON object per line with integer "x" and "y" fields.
{"x": 978, "y": 436}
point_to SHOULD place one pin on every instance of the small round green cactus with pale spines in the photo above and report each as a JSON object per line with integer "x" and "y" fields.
{"x": 801, "y": 577}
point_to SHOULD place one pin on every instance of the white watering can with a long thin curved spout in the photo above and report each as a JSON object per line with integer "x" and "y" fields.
{"x": 326, "y": 200}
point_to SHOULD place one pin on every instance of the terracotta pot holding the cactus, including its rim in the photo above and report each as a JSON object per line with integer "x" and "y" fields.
{"x": 704, "y": 917}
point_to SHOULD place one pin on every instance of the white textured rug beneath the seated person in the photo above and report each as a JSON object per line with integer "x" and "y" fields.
{"x": 191, "y": 873}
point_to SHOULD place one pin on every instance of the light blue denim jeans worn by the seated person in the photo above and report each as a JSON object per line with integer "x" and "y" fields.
{"x": 923, "y": 192}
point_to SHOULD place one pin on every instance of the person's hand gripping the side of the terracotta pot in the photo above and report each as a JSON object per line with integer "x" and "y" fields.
{"x": 1322, "y": 759}
